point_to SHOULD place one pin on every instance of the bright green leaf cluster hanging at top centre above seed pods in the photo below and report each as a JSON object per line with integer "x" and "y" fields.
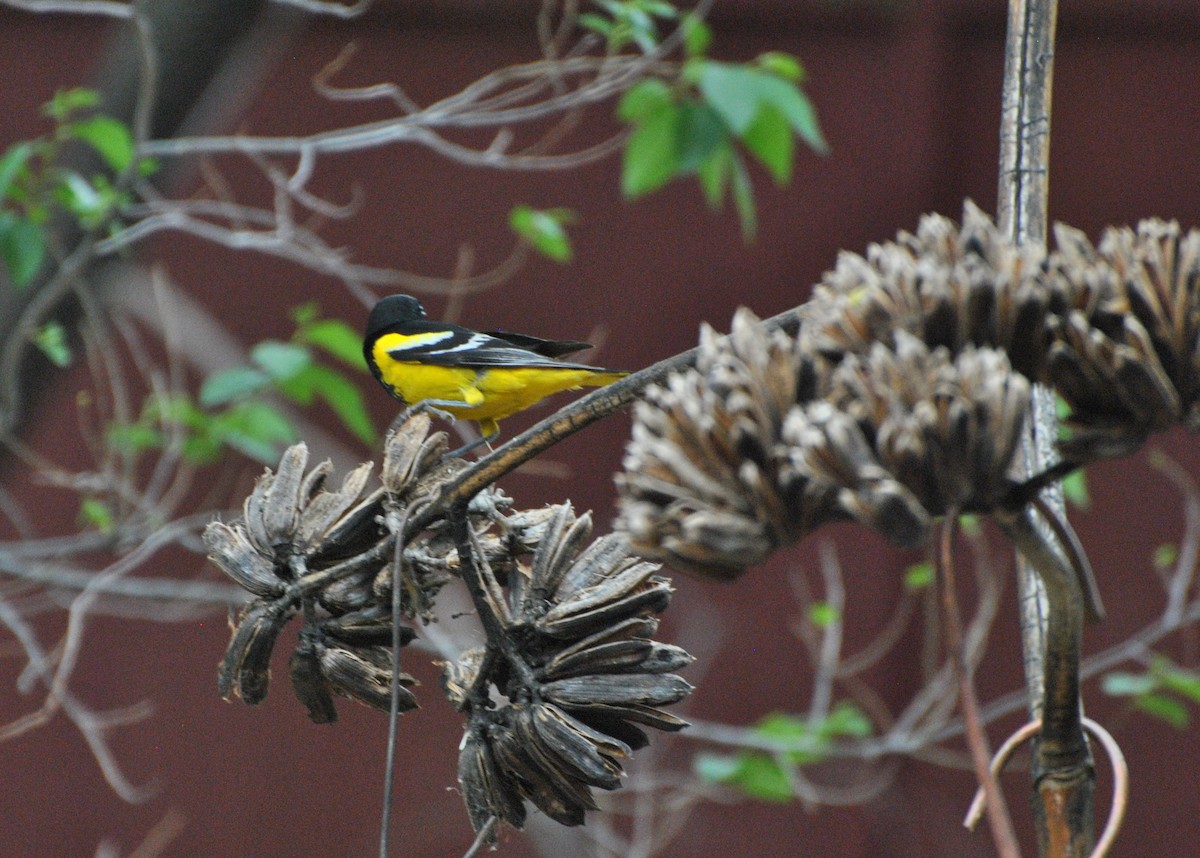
{"x": 701, "y": 124}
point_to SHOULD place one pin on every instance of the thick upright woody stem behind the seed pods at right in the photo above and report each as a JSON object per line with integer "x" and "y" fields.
{"x": 1051, "y": 627}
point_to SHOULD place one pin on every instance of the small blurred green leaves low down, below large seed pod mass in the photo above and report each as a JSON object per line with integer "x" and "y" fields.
{"x": 769, "y": 777}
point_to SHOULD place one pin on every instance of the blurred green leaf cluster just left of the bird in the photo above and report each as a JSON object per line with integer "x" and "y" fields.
{"x": 230, "y": 411}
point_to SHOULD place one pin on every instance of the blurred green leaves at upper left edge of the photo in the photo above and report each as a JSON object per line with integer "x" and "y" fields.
{"x": 33, "y": 185}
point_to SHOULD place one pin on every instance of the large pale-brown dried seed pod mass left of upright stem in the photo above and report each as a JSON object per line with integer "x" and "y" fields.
{"x": 903, "y": 398}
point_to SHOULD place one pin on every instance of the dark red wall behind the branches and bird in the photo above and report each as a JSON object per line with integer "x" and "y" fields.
{"x": 909, "y": 99}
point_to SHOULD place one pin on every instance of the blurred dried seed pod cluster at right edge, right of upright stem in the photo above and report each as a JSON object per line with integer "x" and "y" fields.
{"x": 1126, "y": 353}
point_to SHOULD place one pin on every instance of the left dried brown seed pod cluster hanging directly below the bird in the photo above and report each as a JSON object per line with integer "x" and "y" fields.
{"x": 302, "y": 548}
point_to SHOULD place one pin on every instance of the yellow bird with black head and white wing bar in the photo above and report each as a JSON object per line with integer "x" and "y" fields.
{"x": 472, "y": 375}
